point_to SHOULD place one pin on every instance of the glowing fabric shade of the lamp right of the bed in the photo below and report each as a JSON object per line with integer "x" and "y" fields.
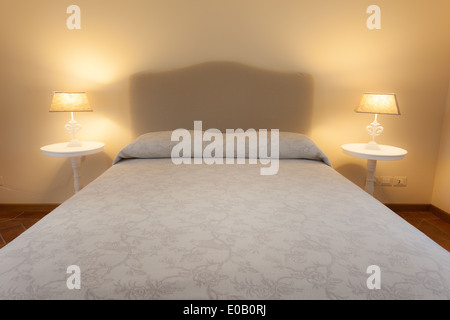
{"x": 378, "y": 103}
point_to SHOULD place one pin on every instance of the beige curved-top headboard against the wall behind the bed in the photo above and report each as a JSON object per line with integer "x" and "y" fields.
{"x": 223, "y": 95}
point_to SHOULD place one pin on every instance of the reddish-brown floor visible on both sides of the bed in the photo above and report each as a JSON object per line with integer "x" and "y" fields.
{"x": 14, "y": 222}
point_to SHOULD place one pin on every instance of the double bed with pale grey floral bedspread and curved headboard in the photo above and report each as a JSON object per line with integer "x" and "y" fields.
{"x": 150, "y": 229}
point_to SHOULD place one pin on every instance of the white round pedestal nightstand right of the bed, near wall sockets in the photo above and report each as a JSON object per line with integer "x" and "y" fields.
{"x": 383, "y": 152}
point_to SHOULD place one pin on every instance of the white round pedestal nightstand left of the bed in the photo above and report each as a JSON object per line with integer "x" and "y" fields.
{"x": 61, "y": 150}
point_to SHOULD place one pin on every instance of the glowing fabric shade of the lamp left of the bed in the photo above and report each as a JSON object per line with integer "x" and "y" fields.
{"x": 70, "y": 102}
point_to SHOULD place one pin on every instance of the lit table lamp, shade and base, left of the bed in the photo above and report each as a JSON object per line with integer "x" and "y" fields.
{"x": 71, "y": 102}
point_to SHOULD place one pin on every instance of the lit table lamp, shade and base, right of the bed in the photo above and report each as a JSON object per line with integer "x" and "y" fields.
{"x": 377, "y": 103}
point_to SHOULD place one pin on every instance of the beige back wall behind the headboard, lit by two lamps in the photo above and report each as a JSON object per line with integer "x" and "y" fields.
{"x": 326, "y": 38}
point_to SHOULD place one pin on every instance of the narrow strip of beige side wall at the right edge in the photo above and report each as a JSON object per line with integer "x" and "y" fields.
{"x": 441, "y": 191}
